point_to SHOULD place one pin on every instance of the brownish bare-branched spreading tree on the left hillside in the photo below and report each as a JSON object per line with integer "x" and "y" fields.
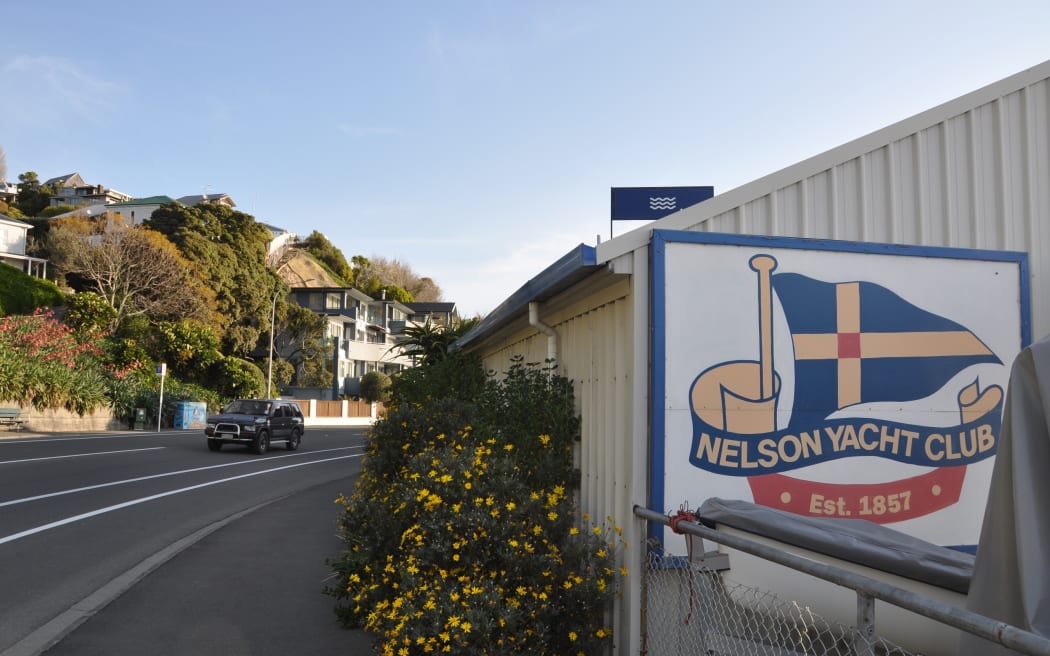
{"x": 138, "y": 272}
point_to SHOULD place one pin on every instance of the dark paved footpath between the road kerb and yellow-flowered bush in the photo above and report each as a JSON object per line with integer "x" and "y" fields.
{"x": 254, "y": 587}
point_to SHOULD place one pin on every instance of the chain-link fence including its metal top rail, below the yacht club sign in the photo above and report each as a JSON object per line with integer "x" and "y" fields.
{"x": 692, "y": 608}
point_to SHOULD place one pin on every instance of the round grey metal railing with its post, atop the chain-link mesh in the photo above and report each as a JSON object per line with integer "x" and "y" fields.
{"x": 868, "y": 591}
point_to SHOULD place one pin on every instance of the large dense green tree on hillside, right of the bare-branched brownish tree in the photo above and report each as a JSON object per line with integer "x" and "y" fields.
{"x": 228, "y": 252}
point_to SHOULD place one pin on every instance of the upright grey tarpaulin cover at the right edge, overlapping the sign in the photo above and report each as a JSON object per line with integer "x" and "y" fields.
{"x": 1012, "y": 576}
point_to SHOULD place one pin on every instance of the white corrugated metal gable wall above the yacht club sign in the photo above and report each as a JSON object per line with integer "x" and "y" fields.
{"x": 967, "y": 177}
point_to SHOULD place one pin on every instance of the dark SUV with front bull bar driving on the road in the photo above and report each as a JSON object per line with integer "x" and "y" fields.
{"x": 258, "y": 424}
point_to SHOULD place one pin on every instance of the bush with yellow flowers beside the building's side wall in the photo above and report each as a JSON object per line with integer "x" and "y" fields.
{"x": 463, "y": 537}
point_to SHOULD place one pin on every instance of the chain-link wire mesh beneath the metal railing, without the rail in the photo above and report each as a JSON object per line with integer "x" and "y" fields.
{"x": 691, "y": 609}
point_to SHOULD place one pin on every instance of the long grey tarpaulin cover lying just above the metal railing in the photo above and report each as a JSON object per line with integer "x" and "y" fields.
{"x": 854, "y": 541}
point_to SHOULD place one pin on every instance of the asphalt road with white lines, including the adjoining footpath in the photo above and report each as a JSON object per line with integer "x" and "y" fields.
{"x": 133, "y": 543}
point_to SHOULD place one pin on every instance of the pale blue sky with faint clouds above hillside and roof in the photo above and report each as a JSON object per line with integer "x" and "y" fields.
{"x": 475, "y": 142}
